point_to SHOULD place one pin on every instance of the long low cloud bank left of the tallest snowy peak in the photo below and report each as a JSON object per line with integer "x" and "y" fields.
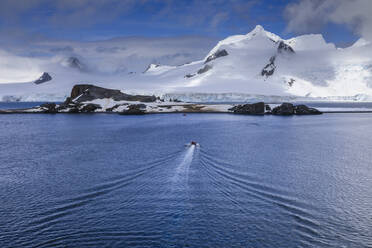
{"x": 109, "y": 57}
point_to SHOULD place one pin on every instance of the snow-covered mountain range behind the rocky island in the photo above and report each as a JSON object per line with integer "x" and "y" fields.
{"x": 258, "y": 64}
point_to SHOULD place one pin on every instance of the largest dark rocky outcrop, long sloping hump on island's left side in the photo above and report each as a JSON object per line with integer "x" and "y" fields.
{"x": 87, "y": 92}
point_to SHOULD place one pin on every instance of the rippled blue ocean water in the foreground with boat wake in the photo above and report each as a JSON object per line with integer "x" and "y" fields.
{"x": 130, "y": 181}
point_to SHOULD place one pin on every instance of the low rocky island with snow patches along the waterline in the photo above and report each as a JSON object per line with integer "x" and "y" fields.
{"x": 87, "y": 98}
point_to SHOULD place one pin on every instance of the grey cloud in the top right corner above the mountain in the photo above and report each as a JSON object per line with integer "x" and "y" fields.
{"x": 312, "y": 15}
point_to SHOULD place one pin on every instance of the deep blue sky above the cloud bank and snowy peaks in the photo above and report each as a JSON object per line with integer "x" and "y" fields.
{"x": 98, "y": 19}
